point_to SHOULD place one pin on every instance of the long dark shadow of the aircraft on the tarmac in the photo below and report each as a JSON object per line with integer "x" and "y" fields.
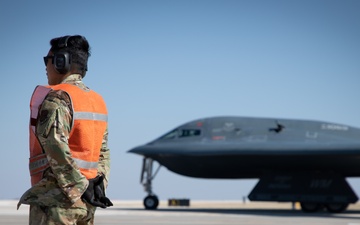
{"x": 349, "y": 214}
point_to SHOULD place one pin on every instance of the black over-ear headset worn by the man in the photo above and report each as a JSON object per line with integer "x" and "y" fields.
{"x": 62, "y": 59}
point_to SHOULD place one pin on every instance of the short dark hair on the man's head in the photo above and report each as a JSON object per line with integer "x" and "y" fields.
{"x": 79, "y": 50}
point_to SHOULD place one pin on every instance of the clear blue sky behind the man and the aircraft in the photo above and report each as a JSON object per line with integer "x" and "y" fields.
{"x": 159, "y": 64}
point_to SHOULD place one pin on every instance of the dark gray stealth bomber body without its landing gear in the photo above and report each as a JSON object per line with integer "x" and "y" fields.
{"x": 240, "y": 147}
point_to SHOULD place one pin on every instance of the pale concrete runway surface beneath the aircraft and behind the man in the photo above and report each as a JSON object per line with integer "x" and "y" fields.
{"x": 199, "y": 213}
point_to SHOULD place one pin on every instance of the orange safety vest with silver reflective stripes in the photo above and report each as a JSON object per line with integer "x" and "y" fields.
{"x": 88, "y": 127}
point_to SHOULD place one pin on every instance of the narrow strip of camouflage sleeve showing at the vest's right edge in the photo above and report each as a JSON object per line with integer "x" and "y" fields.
{"x": 104, "y": 160}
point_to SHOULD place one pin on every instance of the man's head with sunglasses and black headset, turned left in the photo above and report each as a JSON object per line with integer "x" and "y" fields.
{"x": 67, "y": 55}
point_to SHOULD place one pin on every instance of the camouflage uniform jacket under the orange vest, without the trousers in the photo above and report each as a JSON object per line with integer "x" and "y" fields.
{"x": 62, "y": 184}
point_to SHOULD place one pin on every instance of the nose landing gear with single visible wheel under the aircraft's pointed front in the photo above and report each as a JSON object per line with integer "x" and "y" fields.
{"x": 151, "y": 201}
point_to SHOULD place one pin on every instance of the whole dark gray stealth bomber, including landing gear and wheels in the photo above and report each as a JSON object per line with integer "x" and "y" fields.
{"x": 295, "y": 160}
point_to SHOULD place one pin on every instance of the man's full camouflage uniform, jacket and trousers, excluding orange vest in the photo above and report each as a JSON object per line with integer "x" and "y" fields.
{"x": 56, "y": 199}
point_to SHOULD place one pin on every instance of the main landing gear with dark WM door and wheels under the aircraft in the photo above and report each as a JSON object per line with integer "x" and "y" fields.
{"x": 315, "y": 191}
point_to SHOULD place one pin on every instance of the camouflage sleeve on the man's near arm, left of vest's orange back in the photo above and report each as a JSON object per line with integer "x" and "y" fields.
{"x": 53, "y": 129}
